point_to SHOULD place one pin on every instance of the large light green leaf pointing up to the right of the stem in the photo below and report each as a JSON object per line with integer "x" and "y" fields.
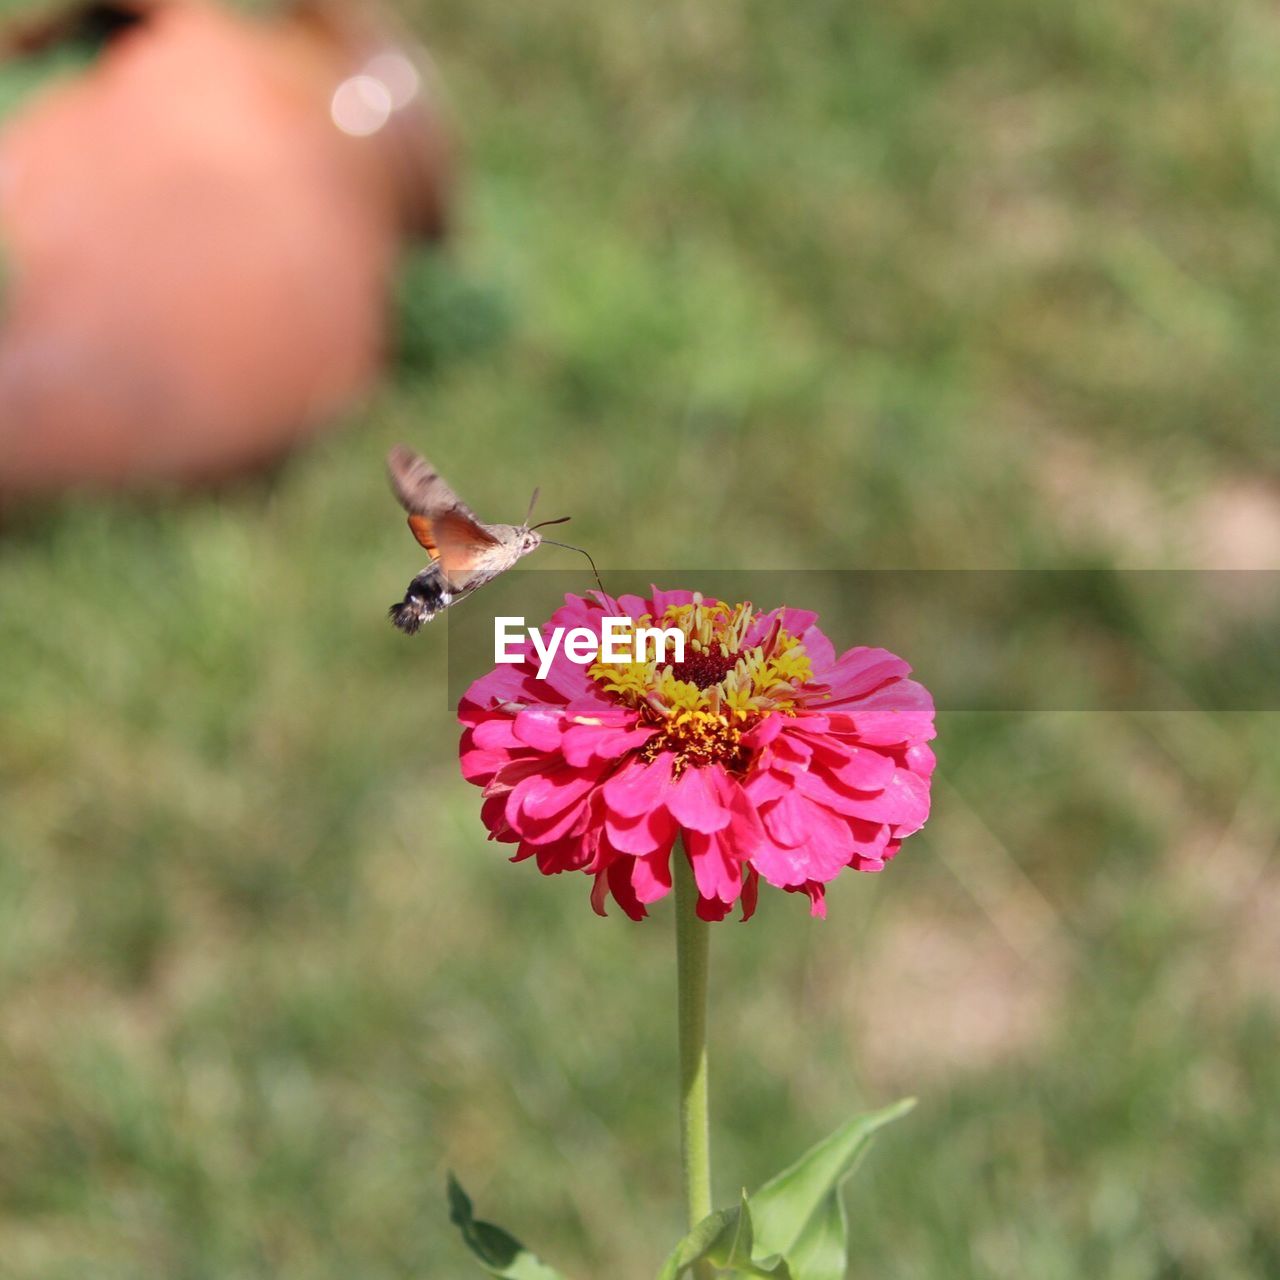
{"x": 799, "y": 1213}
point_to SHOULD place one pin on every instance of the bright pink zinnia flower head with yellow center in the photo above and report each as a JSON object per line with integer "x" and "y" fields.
{"x": 767, "y": 753}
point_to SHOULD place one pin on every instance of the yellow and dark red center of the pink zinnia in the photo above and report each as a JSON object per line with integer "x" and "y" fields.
{"x": 703, "y": 705}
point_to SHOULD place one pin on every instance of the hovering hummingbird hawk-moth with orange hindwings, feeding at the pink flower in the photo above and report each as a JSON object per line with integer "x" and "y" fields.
{"x": 465, "y": 552}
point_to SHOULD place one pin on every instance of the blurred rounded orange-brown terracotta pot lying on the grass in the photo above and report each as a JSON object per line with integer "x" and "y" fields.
{"x": 199, "y": 234}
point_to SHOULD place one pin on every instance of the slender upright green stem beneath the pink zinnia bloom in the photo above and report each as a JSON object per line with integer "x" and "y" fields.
{"x": 692, "y": 940}
